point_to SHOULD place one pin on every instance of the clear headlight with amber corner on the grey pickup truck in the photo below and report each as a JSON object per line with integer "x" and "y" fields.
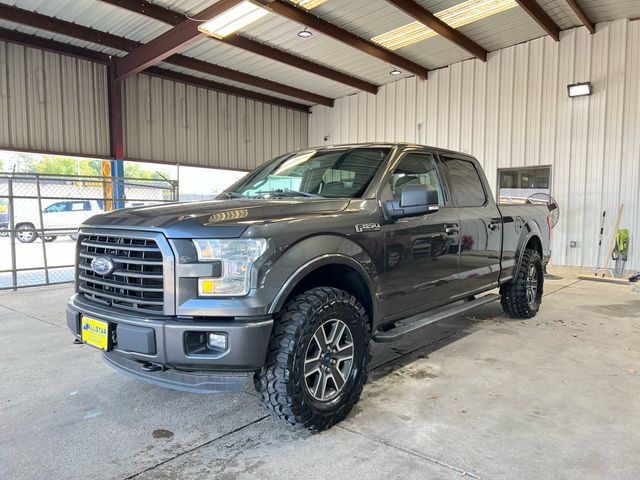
{"x": 237, "y": 257}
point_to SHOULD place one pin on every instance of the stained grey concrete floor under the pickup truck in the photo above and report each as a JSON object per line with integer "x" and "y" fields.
{"x": 479, "y": 396}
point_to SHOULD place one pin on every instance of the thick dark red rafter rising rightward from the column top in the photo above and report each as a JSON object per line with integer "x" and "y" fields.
{"x": 169, "y": 43}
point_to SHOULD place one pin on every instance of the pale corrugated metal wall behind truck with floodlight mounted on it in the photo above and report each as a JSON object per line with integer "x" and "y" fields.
{"x": 514, "y": 111}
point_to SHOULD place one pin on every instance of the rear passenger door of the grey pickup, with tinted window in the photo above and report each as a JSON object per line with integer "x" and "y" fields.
{"x": 480, "y": 225}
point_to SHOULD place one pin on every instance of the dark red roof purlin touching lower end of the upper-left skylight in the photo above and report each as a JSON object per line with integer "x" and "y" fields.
{"x": 170, "y": 17}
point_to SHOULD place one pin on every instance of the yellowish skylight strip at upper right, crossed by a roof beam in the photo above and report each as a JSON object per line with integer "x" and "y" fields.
{"x": 456, "y": 17}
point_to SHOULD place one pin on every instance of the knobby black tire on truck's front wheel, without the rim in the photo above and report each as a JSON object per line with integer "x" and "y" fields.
{"x": 281, "y": 383}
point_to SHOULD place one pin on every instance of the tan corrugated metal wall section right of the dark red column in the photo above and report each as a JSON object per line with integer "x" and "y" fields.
{"x": 172, "y": 122}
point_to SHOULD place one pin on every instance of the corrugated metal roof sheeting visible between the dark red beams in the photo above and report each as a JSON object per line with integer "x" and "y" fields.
{"x": 366, "y": 18}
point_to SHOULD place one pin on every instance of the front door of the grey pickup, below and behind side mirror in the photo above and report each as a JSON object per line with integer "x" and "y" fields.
{"x": 421, "y": 253}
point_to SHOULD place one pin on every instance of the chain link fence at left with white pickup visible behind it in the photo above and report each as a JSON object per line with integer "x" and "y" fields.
{"x": 40, "y": 215}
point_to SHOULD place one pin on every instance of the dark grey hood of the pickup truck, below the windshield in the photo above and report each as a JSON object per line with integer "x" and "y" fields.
{"x": 216, "y": 218}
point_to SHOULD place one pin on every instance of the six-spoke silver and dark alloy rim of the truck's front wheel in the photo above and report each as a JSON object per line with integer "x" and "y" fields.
{"x": 329, "y": 360}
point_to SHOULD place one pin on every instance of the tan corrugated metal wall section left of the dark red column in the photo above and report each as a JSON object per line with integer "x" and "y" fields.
{"x": 52, "y": 102}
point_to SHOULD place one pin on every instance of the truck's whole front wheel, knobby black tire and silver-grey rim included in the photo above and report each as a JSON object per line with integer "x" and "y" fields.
{"x": 317, "y": 361}
